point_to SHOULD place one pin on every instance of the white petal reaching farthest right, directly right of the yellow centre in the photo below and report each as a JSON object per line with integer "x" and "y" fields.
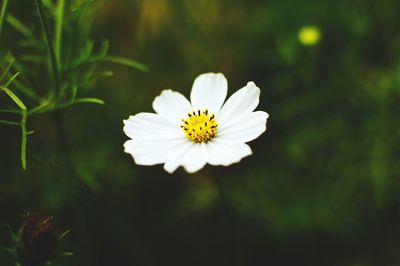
{"x": 247, "y": 128}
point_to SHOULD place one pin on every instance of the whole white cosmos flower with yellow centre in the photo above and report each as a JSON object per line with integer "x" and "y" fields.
{"x": 204, "y": 130}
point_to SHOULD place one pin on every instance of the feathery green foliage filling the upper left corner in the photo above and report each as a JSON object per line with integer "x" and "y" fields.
{"x": 71, "y": 69}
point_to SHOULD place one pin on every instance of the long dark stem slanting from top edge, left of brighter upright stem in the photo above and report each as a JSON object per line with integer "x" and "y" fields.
{"x": 53, "y": 58}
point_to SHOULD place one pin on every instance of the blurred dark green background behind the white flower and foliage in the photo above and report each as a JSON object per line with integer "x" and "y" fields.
{"x": 321, "y": 188}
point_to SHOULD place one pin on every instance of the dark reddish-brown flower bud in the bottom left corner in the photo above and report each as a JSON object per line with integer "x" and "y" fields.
{"x": 36, "y": 241}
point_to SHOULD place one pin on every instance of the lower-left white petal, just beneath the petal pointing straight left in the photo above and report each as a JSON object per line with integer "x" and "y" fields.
{"x": 151, "y": 152}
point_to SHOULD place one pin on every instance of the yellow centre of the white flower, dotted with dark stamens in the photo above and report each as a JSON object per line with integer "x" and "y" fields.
{"x": 200, "y": 126}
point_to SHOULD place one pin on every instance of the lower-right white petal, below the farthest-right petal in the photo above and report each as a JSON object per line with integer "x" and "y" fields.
{"x": 225, "y": 153}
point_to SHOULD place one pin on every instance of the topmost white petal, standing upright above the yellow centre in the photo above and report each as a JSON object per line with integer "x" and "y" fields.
{"x": 209, "y": 91}
